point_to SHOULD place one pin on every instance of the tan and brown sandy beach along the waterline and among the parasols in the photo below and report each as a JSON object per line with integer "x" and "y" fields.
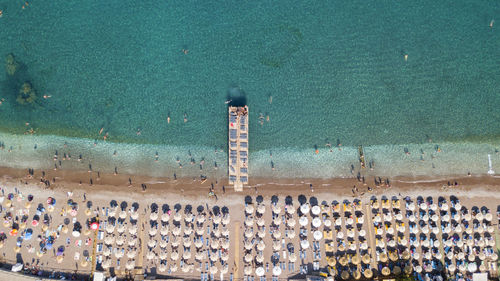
{"x": 472, "y": 191}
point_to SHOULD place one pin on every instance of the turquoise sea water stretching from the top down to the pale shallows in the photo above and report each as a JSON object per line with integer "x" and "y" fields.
{"x": 334, "y": 69}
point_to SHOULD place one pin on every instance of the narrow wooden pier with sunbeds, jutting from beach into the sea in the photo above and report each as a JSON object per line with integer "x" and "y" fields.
{"x": 238, "y": 147}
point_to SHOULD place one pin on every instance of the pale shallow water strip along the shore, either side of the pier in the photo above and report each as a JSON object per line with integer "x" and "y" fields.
{"x": 390, "y": 160}
